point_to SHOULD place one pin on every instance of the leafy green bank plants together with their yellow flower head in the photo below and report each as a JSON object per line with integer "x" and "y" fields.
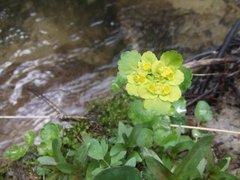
{"x": 145, "y": 146}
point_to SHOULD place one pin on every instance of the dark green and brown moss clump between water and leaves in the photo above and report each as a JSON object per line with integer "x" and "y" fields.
{"x": 102, "y": 118}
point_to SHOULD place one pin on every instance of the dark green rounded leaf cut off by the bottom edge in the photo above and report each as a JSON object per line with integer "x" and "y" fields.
{"x": 119, "y": 173}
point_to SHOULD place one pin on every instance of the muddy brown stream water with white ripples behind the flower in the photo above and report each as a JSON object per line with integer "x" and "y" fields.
{"x": 68, "y": 49}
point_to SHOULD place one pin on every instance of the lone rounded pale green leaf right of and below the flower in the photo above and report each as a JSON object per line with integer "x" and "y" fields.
{"x": 203, "y": 112}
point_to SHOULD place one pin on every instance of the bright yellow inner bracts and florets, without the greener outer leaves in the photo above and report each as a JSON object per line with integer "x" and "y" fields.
{"x": 154, "y": 79}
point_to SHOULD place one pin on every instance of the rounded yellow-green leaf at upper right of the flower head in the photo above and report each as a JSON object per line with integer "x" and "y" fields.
{"x": 171, "y": 58}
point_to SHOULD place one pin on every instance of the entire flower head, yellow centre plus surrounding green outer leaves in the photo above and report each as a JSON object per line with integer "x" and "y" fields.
{"x": 159, "y": 83}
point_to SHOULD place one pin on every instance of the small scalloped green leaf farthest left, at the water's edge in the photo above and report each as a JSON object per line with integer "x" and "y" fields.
{"x": 15, "y": 152}
